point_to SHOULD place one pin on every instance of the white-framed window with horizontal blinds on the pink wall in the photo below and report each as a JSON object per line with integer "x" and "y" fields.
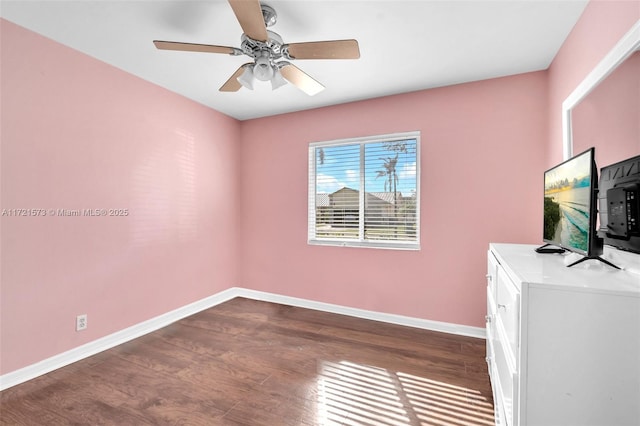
{"x": 365, "y": 192}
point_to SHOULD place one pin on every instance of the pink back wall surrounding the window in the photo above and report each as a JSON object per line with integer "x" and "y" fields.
{"x": 482, "y": 155}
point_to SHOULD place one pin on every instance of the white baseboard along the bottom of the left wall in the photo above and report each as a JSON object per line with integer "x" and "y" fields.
{"x": 107, "y": 342}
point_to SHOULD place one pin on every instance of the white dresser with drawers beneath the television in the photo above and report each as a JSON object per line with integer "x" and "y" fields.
{"x": 563, "y": 344}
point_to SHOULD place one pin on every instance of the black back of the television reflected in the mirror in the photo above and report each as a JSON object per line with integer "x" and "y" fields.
{"x": 619, "y": 205}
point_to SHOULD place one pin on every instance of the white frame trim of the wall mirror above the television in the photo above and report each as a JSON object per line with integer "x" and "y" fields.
{"x": 628, "y": 44}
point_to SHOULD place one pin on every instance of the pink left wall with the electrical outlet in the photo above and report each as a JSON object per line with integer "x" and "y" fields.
{"x": 76, "y": 134}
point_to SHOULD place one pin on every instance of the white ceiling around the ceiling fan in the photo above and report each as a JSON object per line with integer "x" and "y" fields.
{"x": 404, "y": 45}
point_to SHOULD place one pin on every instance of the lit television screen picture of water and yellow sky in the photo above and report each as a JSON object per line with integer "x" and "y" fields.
{"x": 567, "y": 201}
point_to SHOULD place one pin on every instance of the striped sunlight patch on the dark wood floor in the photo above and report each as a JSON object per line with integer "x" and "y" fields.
{"x": 356, "y": 394}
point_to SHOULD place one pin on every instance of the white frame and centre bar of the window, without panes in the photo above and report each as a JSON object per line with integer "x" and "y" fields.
{"x": 361, "y": 242}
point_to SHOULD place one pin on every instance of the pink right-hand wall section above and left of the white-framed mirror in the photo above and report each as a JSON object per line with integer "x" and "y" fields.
{"x": 601, "y": 25}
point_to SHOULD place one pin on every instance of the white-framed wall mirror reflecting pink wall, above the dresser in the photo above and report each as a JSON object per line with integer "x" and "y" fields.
{"x": 604, "y": 110}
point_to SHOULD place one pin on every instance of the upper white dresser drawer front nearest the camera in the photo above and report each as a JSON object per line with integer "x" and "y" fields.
{"x": 507, "y": 312}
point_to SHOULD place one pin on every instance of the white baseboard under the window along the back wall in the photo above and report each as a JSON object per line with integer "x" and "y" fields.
{"x": 443, "y": 327}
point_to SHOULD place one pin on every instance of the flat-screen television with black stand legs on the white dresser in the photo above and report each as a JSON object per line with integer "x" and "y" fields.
{"x": 570, "y": 208}
